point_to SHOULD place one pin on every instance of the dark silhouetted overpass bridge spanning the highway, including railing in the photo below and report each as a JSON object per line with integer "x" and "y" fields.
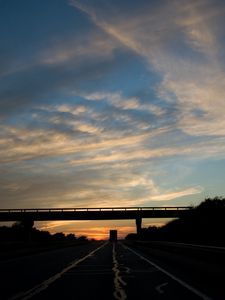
{"x": 104, "y": 213}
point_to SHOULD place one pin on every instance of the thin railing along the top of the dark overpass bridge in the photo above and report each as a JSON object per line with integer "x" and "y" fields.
{"x": 91, "y": 209}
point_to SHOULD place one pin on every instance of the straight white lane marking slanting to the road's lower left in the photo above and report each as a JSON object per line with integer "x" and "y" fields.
{"x": 45, "y": 284}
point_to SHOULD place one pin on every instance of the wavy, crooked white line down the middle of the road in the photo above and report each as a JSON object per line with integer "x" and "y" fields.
{"x": 119, "y": 292}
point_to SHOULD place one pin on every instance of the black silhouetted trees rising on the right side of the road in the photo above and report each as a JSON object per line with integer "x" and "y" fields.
{"x": 205, "y": 224}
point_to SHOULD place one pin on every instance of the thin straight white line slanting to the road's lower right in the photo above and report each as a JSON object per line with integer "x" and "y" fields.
{"x": 184, "y": 284}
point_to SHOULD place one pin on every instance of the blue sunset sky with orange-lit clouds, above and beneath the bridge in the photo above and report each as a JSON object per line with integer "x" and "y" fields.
{"x": 111, "y": 103}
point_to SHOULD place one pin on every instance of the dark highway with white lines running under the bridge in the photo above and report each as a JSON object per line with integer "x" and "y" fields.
{"x": 122, "y": 270}
